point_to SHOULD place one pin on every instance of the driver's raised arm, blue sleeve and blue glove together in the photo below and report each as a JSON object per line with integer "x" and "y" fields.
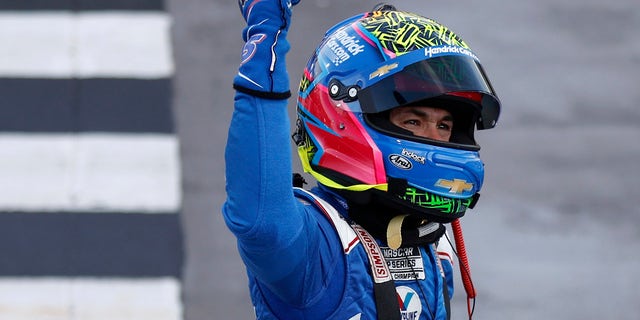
{"x": 278, "y": 240}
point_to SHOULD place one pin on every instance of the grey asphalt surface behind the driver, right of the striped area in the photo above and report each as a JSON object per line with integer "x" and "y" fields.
{"x": 556, "y": 234}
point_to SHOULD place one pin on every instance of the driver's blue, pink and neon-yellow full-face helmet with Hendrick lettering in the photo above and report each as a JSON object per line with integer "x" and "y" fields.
{"x": 374, "y": 62}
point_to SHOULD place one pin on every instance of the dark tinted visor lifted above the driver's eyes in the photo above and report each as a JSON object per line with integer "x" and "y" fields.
{"x": 431, "y": 78}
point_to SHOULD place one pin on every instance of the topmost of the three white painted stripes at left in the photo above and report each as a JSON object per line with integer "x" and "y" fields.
{"x": 84, "y": 45}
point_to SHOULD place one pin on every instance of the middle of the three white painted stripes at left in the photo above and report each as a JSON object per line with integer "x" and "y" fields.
{"x": 89, "y": 172}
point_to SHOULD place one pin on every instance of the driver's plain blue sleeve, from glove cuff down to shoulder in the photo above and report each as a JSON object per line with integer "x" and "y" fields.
{"x": 285, "y": 244}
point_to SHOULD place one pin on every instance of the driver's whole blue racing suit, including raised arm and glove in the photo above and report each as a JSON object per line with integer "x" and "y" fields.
{"x": 303, "y": 260}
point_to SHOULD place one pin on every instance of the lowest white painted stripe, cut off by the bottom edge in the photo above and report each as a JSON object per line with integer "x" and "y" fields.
{"x": 90, "y": 299}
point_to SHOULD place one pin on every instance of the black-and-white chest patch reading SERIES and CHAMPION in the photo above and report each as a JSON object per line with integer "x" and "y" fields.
{"x": 404, "y": 263}
